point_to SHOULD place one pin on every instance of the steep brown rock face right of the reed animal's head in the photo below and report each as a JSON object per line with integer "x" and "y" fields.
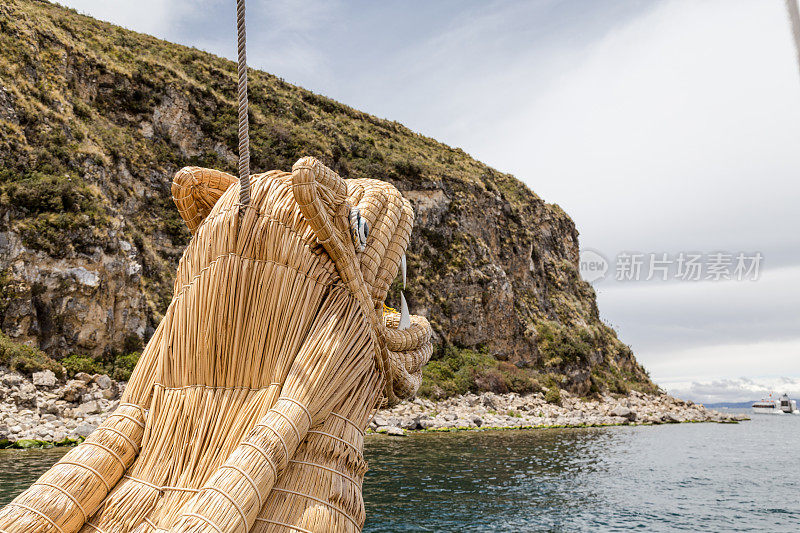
{"x": 490, "y": 261}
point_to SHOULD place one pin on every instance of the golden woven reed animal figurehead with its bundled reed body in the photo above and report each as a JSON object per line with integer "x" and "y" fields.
{"x": 247, "y": 409}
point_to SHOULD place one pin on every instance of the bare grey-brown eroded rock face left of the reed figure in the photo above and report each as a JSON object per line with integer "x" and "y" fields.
{"x": 83, "y": 304}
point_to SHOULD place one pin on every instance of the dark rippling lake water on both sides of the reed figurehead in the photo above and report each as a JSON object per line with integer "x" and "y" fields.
{"x": 685, "y": 477}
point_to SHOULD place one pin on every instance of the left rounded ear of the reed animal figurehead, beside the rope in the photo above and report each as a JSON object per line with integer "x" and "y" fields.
{"x": 195, "y": 190}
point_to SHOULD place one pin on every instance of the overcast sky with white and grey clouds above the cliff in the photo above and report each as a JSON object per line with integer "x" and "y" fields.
{"x": 659, "y": 126}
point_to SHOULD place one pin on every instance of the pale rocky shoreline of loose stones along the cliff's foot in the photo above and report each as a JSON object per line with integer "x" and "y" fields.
{"x": 44, "y": 410}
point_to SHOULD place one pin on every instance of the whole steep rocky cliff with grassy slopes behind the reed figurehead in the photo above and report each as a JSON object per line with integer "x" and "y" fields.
{"x": 94, "y": 121}
